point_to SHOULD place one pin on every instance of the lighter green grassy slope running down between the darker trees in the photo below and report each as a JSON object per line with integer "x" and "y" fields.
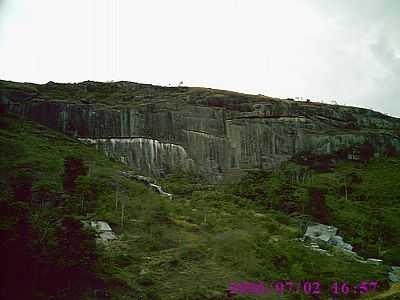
{"x": 188, "y": 248}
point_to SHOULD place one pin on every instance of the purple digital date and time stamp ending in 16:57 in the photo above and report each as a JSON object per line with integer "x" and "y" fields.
{"x": 305, "y": 287}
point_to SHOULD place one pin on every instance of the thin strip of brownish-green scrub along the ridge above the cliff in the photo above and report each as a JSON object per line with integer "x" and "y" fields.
{"x": 121, "y": 94}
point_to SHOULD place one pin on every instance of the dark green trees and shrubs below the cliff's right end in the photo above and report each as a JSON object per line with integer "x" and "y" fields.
{"x": 361, "y": 199}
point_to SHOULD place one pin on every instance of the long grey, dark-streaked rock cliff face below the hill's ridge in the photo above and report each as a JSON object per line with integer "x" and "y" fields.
{"x": 213, "y": 133}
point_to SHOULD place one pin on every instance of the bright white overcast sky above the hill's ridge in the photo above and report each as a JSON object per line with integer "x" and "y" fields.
{"x": 346, "y": 51}
